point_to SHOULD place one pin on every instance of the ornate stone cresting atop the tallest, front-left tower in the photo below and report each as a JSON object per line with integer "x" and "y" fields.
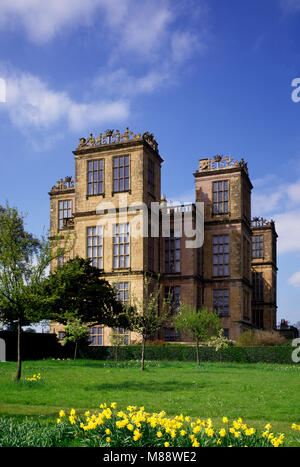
{"x": 115, "y": 137}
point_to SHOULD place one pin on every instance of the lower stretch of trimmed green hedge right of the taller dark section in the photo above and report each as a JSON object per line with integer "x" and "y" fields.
{"x": 278, "y": 354}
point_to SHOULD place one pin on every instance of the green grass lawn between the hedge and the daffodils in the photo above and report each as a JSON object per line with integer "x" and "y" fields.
{"x": 259, "y": 393}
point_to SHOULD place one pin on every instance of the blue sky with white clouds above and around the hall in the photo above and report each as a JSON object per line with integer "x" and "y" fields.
{"x": 206, "y": 77}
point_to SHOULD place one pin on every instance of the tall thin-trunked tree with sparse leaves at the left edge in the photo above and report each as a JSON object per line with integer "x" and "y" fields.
{"x": 24, "y": 262}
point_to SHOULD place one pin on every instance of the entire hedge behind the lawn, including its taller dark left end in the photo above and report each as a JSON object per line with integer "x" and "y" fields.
{"x": 37, "y": 346}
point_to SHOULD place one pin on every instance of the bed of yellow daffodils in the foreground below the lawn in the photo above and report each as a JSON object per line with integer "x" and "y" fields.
{"x": 137, "y": 428}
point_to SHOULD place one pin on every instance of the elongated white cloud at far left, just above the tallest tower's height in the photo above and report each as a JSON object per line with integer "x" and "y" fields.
{"x": 31, "y": 103}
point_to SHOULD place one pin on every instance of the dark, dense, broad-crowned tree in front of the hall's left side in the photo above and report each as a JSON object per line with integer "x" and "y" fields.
{"x": 76, "y": 289}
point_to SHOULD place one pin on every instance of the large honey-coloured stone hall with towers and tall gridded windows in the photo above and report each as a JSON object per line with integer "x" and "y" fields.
{"x": 233, "y": 272}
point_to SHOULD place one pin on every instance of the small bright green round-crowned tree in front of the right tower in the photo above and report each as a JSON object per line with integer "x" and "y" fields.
{"x": 202, "y": 323}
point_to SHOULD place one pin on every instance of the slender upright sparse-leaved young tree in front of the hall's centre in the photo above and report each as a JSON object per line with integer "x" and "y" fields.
{"x": 148, "y": 316}
